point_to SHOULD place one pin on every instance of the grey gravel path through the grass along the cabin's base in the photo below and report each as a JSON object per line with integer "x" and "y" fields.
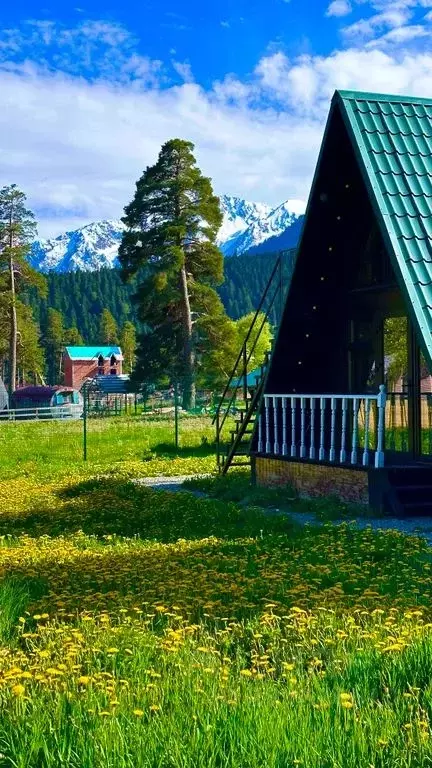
{"x": 420, "y": 526}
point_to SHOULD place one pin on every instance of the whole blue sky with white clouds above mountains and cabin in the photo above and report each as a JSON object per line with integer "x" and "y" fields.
{"x": 91, "y": 89}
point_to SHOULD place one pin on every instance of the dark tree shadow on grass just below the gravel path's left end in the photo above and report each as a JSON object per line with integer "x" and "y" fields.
{"x": 104, "y": 507}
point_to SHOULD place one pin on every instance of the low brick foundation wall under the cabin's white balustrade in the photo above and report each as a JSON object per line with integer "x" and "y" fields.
{"x": 314, "y": 480}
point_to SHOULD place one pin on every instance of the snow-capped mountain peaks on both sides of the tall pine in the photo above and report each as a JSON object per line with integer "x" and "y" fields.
{"x": 245, "y": 225}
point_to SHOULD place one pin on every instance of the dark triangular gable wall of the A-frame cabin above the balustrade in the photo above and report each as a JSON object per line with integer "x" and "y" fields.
{"x": 340, "y": 250}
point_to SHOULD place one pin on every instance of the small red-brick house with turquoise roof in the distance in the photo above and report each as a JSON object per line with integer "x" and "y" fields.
{"x": 83, "y": 363}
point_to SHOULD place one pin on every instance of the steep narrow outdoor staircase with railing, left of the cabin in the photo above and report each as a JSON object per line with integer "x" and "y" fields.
{"x": 234, "y": 451}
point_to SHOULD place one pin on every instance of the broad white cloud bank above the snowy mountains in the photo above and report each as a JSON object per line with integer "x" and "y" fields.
{"x": 76, "y": 146}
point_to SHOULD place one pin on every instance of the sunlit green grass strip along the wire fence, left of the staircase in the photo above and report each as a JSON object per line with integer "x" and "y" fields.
{"x": 55, "y": 448}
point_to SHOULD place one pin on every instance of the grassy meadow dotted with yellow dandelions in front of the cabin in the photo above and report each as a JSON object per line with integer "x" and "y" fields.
{"x": 141, "y": 628}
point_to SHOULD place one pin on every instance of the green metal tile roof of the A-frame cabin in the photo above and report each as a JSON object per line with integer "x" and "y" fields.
{"x": 392, "y": 137}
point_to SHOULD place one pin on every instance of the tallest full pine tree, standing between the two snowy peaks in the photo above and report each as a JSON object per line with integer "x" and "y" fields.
{"x": 172, "y": 224}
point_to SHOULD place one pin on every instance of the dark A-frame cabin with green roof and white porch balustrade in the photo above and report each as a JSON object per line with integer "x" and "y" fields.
{"x": 346, "y": 405}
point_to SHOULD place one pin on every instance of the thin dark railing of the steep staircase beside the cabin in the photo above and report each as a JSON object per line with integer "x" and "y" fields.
{"x": 244, "y": 357}
